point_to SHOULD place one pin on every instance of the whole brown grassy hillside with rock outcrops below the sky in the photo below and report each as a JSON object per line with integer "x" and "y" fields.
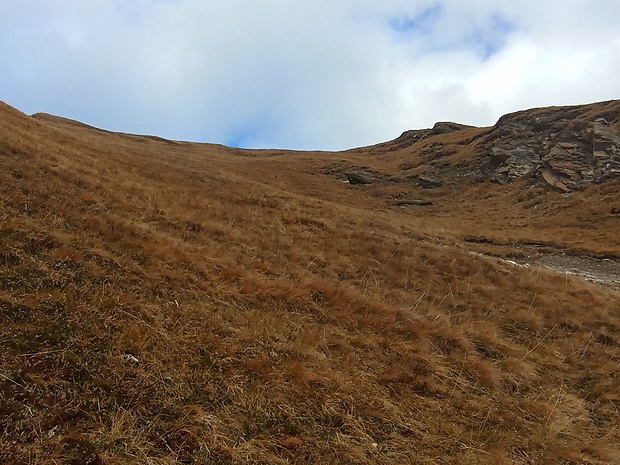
{"x": 167, "y": 302}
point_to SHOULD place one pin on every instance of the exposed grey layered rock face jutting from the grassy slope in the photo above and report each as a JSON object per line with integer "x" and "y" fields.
{"x": 558, "y": 146}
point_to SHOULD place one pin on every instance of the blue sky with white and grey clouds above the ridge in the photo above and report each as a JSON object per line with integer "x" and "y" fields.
{"x": 320, "y": 75}
